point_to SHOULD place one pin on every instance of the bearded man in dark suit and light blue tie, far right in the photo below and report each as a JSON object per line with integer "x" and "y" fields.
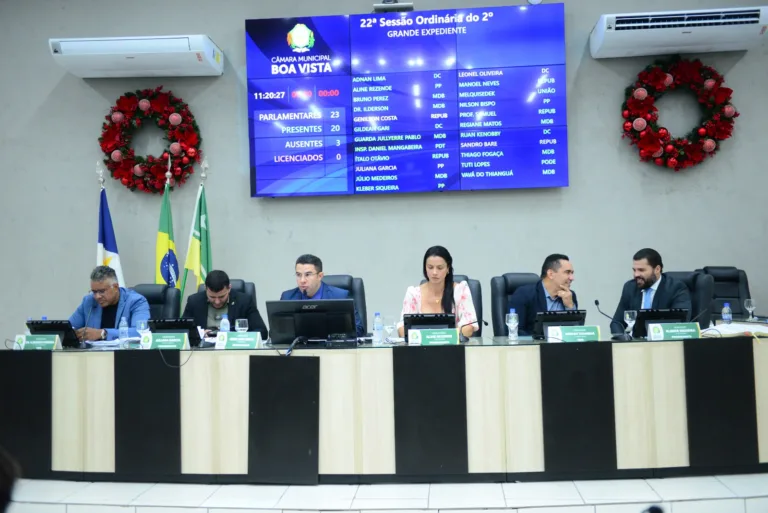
{"x": 650, "y": 289}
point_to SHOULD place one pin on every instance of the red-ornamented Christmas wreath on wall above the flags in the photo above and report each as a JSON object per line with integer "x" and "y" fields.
{"x": 169, "y": 113}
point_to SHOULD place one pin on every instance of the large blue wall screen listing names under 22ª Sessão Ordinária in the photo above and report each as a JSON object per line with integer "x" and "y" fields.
{"x": 447, "y": 100}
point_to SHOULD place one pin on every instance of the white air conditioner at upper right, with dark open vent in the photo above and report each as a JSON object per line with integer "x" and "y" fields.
{"x": 664, "y": 33}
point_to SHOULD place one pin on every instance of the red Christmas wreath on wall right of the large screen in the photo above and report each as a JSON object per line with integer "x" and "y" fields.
{"x": 641, "y": 116}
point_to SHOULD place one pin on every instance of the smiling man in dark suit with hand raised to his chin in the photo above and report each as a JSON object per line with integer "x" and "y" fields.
{"x": 551, "y": 293}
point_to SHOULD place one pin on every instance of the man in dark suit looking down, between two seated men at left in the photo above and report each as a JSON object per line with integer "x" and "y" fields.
{"x": 207, "y": 307}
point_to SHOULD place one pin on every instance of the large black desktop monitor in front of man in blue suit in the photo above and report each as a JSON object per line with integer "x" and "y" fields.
{"x": 314, "y": 320}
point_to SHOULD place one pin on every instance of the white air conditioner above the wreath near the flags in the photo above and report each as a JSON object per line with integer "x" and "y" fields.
{"x": 159, "y": 56}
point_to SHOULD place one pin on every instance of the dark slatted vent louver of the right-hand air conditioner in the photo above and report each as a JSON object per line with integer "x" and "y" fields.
{"x": 689, "y": 19}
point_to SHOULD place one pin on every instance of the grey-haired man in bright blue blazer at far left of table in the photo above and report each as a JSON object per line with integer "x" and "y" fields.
{"x": 98, "y": 316}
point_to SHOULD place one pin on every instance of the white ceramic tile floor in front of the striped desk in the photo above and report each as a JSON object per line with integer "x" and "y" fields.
{"x": 721, "y": 494}
